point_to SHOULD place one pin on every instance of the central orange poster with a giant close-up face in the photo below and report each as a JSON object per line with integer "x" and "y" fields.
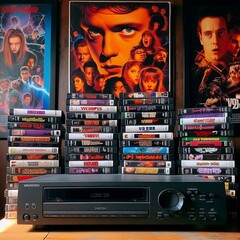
{"x": 113, "y": 45}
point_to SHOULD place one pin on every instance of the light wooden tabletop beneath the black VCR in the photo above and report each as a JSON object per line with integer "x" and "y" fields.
{"x": 9, "y": 229}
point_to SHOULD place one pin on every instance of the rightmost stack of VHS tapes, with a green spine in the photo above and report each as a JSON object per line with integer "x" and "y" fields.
{"x": 206, "y": 148}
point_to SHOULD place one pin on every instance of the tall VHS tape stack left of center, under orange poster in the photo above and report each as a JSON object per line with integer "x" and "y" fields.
{"x": 91, "y": 136}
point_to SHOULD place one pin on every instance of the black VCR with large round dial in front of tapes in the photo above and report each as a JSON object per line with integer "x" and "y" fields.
{"x": 115, "y": 199}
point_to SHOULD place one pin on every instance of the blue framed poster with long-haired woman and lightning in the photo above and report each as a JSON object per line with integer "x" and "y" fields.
{"x": 27, "y": 56}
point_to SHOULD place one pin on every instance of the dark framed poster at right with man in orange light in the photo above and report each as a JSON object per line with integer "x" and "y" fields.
{"x": 212, "y": 57}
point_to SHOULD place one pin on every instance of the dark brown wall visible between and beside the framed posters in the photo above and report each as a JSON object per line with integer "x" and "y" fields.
{"x": 62, "y": 73}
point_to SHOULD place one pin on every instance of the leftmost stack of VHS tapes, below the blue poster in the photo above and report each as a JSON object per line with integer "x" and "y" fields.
{"x": 34, "y": 149}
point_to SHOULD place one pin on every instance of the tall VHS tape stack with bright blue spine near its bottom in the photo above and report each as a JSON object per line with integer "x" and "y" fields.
{"x": 146, "y": 144}
